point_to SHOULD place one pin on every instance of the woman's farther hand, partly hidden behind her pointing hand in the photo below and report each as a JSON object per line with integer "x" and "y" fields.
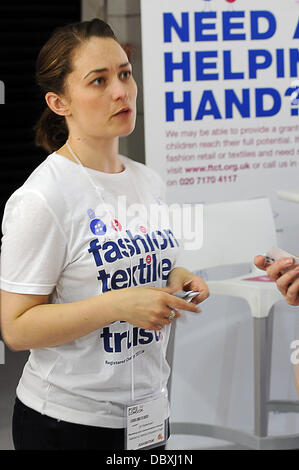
{"x": 182, "y": 279}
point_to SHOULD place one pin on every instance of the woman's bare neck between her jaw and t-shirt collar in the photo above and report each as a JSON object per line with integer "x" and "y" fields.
{"x": 98, "y": 155}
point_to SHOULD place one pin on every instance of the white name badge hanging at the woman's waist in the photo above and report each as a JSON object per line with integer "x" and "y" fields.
{"x": 146, "y": 424}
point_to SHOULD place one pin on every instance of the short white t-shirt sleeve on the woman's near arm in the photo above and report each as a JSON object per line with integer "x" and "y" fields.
{"x": 33, "y": 245}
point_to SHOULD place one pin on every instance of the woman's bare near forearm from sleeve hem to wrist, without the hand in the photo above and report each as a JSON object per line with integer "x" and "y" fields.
{"x": 28, "y": 321}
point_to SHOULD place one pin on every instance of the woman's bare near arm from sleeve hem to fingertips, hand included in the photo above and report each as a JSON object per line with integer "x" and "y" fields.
{"x": 28, "y": 322}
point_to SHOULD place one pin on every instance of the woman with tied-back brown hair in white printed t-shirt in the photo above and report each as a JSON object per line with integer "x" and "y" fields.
{"x": 91, "y": 355}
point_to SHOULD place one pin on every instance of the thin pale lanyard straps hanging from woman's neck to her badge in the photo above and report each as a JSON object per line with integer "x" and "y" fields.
{"x": 99, "y": 190}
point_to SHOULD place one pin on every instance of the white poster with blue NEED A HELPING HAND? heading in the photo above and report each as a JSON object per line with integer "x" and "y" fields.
{"x": 221, "y": 96}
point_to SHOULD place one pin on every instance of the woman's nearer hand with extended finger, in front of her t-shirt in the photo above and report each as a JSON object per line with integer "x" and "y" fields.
{"x": 149, "y": 307}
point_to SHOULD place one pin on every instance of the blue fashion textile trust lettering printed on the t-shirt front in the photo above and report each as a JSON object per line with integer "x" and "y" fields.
{"x": 141, "y": 257}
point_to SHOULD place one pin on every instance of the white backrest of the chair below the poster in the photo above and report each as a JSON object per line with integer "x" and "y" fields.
{"x": 234, "y": 232}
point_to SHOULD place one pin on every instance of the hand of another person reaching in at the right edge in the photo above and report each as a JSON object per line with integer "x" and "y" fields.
{"x": 287, "y": 281}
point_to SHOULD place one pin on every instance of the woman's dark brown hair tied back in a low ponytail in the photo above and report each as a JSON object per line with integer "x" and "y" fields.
{"x": 53, "y": 64}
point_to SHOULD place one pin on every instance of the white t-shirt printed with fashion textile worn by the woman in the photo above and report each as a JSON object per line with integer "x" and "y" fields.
{"x": 58, "y": 239}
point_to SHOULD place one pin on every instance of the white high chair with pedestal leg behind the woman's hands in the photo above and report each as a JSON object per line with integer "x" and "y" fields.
{"x": 234, "y": 232}
